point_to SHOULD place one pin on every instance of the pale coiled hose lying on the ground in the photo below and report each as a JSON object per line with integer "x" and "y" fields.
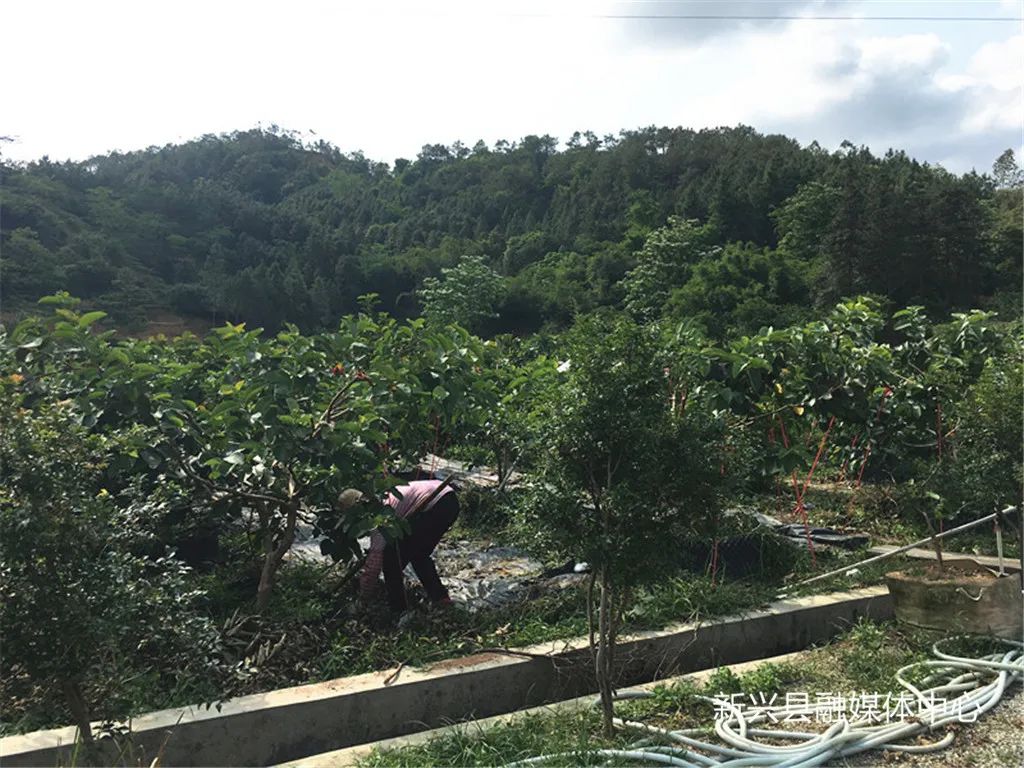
{"x": 979, "y": 685}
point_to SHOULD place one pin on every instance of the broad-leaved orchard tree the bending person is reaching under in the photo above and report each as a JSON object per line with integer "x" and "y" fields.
{"x": 282, "y": 425}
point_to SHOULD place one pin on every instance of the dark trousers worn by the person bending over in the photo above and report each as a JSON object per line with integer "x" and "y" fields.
{"x": 428, "y": 529}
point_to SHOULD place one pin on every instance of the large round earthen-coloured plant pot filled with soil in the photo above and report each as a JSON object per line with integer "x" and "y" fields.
{"x": 962, "y": 598}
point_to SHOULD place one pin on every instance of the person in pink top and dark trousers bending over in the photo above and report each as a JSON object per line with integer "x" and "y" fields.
{"x": 429, "y": 523}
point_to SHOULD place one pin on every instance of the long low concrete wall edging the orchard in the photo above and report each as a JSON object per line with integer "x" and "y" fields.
{"x": 292, "y": 723}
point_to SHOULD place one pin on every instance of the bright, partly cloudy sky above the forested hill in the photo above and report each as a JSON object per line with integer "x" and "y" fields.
{"x": 943, "y": 80}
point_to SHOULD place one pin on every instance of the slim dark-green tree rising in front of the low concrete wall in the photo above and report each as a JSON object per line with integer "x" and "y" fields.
{"x": 627, "y": 471}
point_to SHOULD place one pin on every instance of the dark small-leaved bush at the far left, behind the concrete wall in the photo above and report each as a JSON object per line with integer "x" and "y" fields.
{"x": 83, "y": 611}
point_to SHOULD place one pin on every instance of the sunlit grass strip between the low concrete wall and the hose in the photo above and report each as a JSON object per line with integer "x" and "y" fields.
{"x": 866, "y": 659}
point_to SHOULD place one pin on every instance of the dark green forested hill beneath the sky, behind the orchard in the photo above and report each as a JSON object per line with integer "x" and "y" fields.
{"x": 730, "y": 227}
